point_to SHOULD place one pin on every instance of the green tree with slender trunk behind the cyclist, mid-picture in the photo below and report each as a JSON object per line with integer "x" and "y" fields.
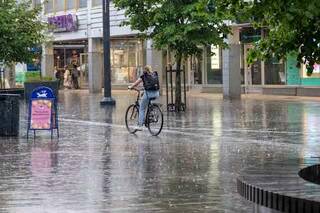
{"x": 182, "y": 26}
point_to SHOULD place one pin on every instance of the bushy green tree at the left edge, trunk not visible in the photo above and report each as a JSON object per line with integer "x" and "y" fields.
{"x": 20, "y": 30}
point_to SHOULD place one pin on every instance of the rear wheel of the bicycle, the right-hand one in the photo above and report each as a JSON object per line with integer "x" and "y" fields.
{"x": 154, "y": 120}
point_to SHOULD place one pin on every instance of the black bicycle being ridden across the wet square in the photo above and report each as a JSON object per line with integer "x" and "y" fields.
{"x": 153, "y": 118}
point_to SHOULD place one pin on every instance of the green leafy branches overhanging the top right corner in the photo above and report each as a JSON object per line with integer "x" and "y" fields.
{"x": 292, "y": 25}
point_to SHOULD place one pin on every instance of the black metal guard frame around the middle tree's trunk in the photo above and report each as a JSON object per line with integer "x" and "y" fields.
{"x": 171, "y": 106}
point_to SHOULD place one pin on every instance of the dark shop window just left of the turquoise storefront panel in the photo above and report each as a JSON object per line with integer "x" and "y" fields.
{"x": 274, "y": 72}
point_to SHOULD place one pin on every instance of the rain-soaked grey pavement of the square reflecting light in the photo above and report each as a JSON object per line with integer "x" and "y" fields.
{"x": 96, "y": 166}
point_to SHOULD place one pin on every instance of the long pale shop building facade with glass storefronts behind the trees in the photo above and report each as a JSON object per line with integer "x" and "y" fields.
{"x": 77, "y": 38}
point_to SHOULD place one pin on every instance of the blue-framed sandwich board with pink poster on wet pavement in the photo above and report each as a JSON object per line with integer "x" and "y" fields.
{"x": 43, "y": 114}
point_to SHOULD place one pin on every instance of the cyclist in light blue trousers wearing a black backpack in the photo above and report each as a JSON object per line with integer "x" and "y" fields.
{"x": 150, "y": 82}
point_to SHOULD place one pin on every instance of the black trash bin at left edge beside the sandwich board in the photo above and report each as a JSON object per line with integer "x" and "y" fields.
{"x": 9, "y": 114}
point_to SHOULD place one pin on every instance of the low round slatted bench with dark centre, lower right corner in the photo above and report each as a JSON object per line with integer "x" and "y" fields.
{"x": 278, "y": 186}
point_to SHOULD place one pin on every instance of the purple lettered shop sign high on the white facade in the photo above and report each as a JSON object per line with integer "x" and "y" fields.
{"x": 64, "y": 23}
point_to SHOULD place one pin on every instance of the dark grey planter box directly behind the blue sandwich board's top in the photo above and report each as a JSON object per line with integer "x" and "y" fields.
{"x": 30, "y": 86}
